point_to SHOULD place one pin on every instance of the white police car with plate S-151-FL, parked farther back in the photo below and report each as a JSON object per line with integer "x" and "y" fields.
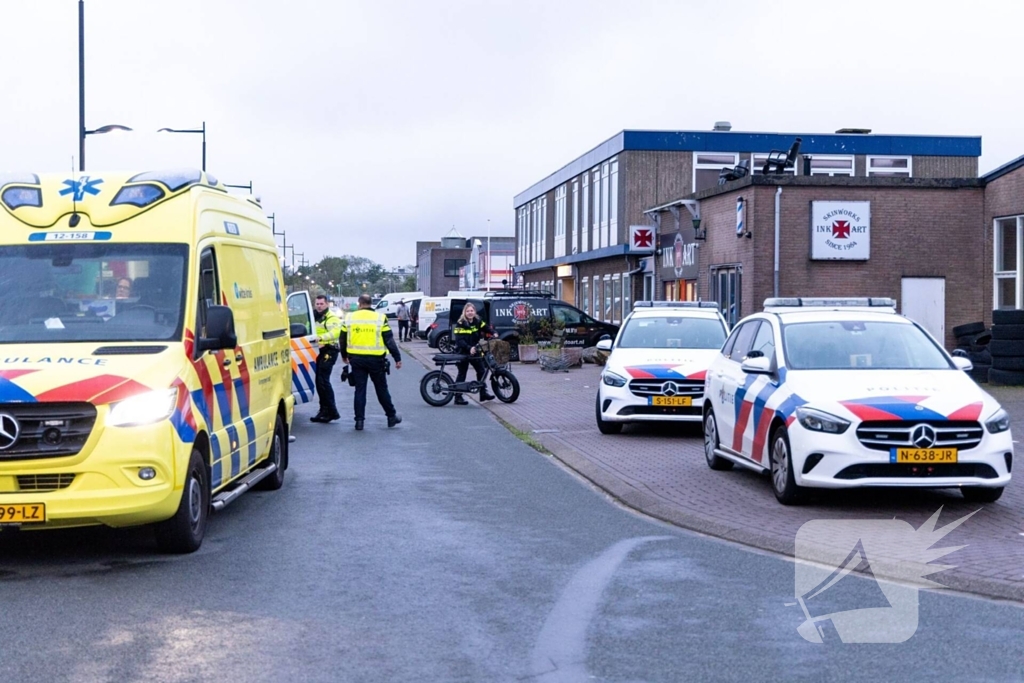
{"x": 658, "y": 364}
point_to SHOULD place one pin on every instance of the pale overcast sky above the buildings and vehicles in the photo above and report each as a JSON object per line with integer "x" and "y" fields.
{"x": 366, "y": 125}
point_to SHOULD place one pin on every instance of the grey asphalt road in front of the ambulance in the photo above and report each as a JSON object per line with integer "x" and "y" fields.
{"x": 448, "y": 550}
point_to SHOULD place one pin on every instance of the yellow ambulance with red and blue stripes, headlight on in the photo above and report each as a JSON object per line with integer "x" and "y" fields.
{"x": 150, "y": 359}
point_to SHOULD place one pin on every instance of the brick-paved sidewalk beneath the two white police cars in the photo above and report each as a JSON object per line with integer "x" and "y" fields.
{"x": 660, "y": 471}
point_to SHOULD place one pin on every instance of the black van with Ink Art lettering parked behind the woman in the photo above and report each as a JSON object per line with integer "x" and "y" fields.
{"x": 505, "y": 309}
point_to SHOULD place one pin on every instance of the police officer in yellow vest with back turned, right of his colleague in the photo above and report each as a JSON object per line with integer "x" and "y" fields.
{"x": 366, "y": 338}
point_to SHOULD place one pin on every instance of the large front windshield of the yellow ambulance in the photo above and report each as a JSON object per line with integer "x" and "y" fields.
{"x": 55, "y": 293}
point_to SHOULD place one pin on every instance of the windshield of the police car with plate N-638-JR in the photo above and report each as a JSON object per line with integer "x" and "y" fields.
{"x": 860, "y": 345}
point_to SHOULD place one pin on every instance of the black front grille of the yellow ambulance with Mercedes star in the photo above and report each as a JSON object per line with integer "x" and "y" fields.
{"x": 31, "y": 432}
